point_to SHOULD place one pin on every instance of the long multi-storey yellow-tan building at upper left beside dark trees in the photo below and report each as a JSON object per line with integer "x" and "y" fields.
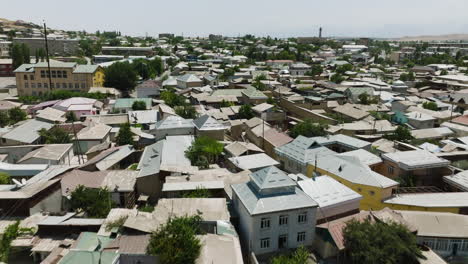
{"x": 33, "y": 79}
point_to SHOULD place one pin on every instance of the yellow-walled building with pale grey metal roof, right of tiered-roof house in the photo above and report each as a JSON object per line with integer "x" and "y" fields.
{"x": 355, "y": 174}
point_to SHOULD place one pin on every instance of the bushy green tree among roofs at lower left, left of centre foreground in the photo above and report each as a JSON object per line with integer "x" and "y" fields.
{"x": 96, "y": 203}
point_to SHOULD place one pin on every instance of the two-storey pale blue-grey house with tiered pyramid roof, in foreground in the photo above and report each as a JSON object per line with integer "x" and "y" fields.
{"x": 273, "y": 212}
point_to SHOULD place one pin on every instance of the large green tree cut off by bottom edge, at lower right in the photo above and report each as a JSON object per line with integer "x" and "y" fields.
{"x": 370, "y": 242}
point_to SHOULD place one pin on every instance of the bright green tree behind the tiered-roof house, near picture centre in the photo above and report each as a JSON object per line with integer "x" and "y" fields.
{"x": 204, "y": 151}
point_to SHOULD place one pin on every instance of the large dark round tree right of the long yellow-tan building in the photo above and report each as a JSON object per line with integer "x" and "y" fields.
{"x": 121, "y": 76}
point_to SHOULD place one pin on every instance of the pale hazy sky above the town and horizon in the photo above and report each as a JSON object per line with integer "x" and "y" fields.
{"x": 277, "y": 18}
